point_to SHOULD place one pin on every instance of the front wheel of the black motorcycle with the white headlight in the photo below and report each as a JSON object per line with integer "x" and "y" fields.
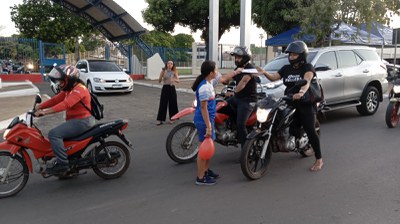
{"x": 253, "y": 167}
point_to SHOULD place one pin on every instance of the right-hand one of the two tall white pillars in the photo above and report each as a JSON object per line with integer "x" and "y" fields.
{"x": 245, "y": 22}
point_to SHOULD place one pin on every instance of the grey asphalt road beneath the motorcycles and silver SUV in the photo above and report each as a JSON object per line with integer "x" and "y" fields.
{"x": 359, "y": 183}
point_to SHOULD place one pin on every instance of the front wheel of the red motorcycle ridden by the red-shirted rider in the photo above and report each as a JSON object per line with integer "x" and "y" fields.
{"x": 17, "y": 176}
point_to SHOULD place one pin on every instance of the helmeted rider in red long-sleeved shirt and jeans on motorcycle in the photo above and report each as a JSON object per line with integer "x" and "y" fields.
{"x": 74, "y": 99}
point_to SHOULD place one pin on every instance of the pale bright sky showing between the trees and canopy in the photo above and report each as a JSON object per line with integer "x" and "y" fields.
{"x": 134, "y": 8}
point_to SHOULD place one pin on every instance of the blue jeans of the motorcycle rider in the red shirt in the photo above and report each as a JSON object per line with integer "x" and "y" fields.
{"x": 68, "y": 129}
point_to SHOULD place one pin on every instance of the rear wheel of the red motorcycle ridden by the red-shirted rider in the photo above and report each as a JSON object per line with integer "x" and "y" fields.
{"x": 114, "y": 167}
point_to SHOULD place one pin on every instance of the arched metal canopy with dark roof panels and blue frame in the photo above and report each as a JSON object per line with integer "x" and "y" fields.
{"x": 110, "y": 19}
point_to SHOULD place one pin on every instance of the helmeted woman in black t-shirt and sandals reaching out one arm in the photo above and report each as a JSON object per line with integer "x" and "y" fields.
{"x": 305, "y": 112}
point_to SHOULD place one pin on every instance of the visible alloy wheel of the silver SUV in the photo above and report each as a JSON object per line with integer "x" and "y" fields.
{"x": 369, "y": 101}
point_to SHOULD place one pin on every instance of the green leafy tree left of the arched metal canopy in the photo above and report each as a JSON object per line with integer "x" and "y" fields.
{"x": 47, "y": 21}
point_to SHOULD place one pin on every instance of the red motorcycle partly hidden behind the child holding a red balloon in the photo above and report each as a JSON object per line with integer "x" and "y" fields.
{"x": 183, "y": 143}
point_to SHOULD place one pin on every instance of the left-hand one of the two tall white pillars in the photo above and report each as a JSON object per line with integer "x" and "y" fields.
{"x": 213, "y": 30}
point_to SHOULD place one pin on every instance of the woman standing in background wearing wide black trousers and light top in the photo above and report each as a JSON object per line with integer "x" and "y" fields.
{"x": 168, "y": 99}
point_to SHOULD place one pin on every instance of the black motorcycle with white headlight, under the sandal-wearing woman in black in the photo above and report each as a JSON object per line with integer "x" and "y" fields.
{"x": 274, "y": 116}
